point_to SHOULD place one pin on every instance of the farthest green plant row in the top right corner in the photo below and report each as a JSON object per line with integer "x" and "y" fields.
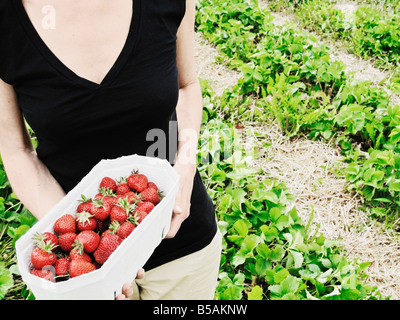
{"x": 368, "y": 29}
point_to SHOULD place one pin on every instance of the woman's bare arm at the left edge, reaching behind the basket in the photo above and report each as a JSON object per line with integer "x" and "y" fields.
{"x": 29, "y": 178}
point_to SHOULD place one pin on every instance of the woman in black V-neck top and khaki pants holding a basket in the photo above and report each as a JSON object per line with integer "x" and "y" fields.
{"x": 92, "y": 79}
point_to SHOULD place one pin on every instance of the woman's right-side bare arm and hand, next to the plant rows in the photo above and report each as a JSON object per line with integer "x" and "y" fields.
{"x": 189, "y": 115}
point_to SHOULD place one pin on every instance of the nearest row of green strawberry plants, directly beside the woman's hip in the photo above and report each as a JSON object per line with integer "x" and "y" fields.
{"x": 269, "y": 253}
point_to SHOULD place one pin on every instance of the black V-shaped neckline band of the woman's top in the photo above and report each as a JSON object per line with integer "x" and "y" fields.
{"x": 64, "y": 69}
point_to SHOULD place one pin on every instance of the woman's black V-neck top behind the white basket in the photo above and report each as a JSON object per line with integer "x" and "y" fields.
{"x": 78, "y": 122}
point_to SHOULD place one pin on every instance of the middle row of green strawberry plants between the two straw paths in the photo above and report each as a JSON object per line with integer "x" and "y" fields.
{"x": 293, "y": 79}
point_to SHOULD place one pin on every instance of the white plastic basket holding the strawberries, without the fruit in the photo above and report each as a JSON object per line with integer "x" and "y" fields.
{"x": 121, "y": 267}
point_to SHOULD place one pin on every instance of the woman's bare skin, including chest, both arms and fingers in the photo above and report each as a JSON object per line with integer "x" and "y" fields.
{"x": 90, "y": 55}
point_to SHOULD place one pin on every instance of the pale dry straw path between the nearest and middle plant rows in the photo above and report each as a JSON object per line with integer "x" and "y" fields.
{"x": 305, "y": 167}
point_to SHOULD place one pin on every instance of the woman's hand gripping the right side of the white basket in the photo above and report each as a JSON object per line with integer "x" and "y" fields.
{"x": 181, "y": 211}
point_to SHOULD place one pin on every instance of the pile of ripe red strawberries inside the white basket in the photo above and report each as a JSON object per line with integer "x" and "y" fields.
{"x": 83, "y": 241}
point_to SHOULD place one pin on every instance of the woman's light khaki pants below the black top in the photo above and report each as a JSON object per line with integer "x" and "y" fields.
{"x": 193, "y": 277}
